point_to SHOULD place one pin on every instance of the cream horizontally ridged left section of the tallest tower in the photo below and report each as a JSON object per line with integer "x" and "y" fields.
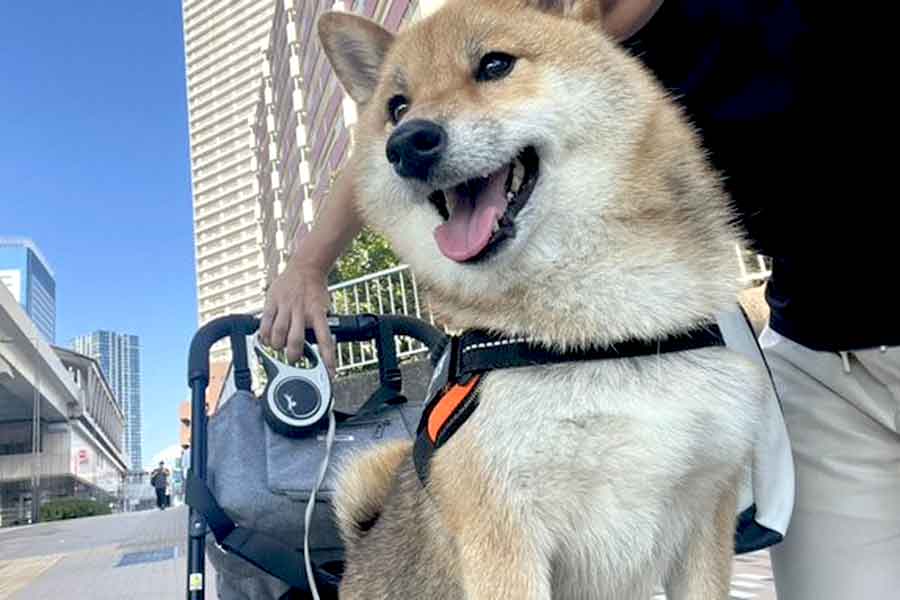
{"x": 224, "y": 42}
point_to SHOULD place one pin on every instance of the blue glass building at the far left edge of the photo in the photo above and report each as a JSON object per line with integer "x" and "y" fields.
{"x": 28, "y": 277}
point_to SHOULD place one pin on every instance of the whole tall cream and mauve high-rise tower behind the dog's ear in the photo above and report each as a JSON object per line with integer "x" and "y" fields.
{"x": 269, "y": 126}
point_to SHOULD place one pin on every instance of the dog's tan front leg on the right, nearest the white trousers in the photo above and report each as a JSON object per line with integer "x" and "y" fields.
{"x": 704, "y": 571}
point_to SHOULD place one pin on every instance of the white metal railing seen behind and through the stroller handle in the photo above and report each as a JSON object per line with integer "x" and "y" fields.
{"x": 389, "y": 292}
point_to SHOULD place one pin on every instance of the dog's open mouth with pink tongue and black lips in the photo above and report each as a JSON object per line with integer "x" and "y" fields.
{"x": 480, "y": 213}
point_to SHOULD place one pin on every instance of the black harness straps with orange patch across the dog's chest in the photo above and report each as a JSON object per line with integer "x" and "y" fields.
{"x": 453, "y": 392}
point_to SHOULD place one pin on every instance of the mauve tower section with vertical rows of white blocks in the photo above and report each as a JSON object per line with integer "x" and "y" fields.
{"x": 303, "y": 122}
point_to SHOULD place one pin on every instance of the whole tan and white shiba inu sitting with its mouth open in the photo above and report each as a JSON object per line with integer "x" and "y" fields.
{"x": 543, "y": 186}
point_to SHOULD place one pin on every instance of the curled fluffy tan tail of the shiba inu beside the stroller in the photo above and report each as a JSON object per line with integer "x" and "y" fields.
{"x": 363, "y": 487}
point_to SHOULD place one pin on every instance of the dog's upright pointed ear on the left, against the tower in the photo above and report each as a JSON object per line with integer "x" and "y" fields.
{"x": 356, "y": 48}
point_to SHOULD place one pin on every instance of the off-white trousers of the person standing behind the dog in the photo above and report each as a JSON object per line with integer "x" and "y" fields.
{"x": 844, "y": 538}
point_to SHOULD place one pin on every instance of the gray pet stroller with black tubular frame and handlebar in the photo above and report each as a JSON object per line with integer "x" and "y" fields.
{"x": 253, "y": 465}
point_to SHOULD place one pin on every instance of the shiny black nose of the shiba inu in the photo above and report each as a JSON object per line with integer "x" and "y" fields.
{"x": 415, "y": 147}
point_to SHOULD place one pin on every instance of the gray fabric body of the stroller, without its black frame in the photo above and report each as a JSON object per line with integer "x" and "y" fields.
{"x": 263, "y": 481}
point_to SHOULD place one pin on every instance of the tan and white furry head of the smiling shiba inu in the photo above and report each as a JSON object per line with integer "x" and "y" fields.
{"x": 532, "y": 173}
